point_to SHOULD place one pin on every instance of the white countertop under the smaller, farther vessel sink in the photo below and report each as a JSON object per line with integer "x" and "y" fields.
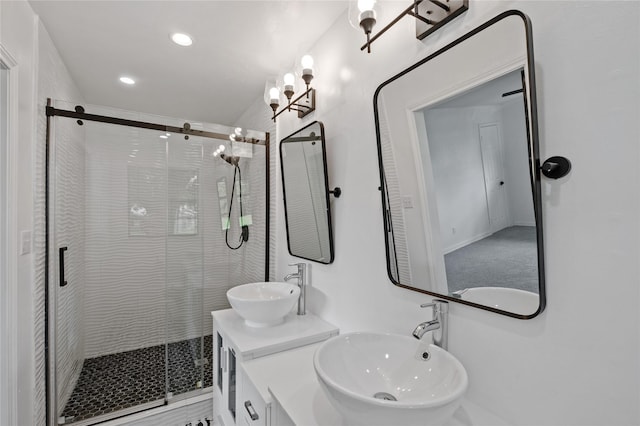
{"x": 255, "y": 342}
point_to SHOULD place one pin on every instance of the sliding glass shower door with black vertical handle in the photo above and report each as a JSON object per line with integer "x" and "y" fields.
{"x": 109, "y": 248}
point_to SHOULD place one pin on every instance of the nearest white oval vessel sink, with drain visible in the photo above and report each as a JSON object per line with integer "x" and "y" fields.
{"x": 359, "y": 370}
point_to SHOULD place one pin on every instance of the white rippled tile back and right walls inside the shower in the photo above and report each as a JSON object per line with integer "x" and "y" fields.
{"x": 145, "y": 289}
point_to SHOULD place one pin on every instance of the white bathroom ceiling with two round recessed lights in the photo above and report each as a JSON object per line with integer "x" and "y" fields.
{"x": 237, "y": 46}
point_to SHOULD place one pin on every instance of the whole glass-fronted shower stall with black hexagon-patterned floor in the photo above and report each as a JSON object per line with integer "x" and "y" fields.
{"x": 150, "y": 220}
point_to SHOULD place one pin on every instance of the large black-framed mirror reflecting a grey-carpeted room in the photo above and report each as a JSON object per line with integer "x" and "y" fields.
{"x": 459, "y": 169}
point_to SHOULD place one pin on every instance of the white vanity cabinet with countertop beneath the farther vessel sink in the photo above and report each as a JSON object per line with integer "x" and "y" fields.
{"x": 236, "y": 400}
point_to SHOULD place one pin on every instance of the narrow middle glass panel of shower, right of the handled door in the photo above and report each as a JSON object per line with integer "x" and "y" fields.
{"x": 185, "y": 269}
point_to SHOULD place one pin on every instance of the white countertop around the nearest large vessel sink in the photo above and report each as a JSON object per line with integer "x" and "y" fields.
{"x": 289, "y": 378}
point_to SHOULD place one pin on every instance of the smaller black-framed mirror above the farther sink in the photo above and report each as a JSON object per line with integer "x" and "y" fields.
{"x": 305, "y": 187}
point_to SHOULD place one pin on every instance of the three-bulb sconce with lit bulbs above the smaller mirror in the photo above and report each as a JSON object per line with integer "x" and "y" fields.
{"x": 304, "y": 103}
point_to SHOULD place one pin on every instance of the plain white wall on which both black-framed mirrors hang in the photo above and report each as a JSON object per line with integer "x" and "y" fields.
{"x": 566, "y": 366}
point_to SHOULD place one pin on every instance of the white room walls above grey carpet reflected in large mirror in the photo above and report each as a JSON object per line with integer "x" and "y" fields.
{"x": 455, "y": 153}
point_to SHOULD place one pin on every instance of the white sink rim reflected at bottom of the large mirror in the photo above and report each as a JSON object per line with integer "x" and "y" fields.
{"x": 507, "y": 299}
